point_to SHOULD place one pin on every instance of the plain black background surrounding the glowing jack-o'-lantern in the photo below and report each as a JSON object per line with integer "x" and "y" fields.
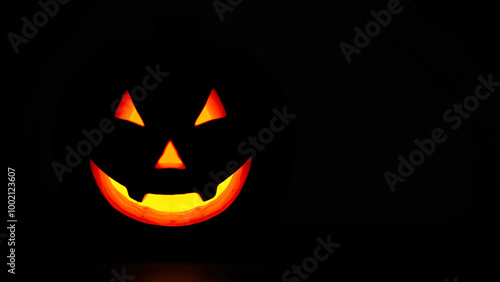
{"x": 353, "y": 120}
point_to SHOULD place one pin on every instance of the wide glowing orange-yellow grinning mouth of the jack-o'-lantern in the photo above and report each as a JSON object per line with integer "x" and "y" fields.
{"x": 171, "y": 210}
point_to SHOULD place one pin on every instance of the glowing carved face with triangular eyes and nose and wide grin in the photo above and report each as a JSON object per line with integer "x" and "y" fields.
{"x": 171, "y": 209}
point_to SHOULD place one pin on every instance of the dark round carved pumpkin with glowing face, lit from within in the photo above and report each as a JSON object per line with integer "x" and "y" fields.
{"x": 154, "y": 168}
